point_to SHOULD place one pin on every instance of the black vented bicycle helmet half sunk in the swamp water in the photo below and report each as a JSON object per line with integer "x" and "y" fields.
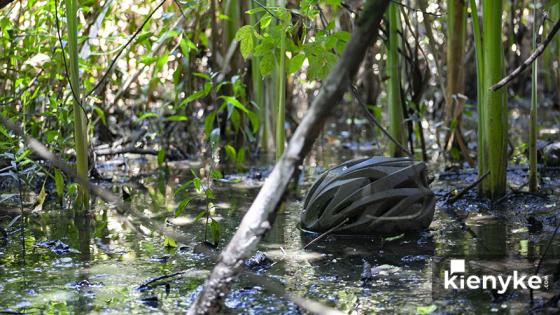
{"x": 378, "y": 195}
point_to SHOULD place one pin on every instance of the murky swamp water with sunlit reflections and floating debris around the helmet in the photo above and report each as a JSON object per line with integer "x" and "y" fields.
{"x": 106, "y": 261}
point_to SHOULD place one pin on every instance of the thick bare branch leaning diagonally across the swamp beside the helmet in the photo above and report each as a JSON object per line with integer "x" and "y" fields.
{"x": 258, "y": 220}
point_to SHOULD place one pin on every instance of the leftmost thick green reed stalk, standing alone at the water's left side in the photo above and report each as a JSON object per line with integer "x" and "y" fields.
{"x": 80, "y": 122}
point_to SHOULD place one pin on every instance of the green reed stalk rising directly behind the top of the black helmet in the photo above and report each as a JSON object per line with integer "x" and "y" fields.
{"x": 396, "y": 117}
